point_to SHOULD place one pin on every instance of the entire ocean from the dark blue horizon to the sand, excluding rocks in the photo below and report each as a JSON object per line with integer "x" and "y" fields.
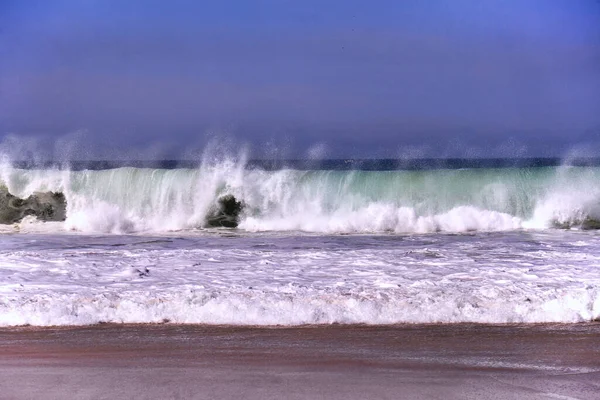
{"x": 317, "y": 242}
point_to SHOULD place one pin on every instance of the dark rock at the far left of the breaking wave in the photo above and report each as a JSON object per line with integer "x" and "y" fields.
{"x": 45, "y": 206}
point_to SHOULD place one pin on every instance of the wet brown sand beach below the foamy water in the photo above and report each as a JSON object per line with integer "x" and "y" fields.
{"x": 460, "y": 361}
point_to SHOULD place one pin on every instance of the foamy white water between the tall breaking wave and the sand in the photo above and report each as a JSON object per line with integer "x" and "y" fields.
{"x": 482, "y": 279}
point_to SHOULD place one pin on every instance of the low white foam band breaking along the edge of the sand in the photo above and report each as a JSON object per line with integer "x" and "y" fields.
{"x": 272, "y": 308}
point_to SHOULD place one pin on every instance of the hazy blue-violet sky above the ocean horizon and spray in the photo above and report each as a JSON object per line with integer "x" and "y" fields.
{"x": 300, "y": 79}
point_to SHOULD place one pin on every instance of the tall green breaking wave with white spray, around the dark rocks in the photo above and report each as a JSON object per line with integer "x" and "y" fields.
{"x": 132, "y": 199}
